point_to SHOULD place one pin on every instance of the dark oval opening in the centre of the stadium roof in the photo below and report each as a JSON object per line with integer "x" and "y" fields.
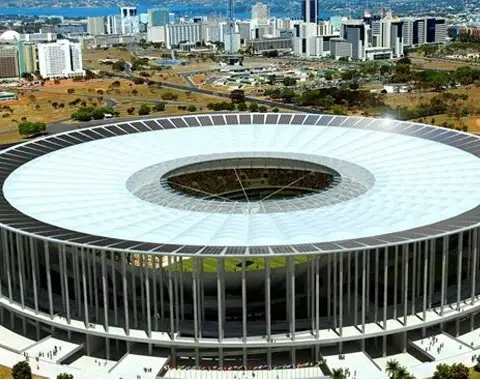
{"x": 250, "y": 179}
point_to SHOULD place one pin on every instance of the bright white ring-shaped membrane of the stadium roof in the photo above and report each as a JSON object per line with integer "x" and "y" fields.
{"x": 82, "y": 188}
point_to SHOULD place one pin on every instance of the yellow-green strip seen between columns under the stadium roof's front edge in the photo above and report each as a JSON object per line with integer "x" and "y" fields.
{"x": 235, "y": 264}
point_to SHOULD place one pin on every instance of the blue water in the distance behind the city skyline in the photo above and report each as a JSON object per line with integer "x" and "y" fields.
{"x": 241, "y": 12}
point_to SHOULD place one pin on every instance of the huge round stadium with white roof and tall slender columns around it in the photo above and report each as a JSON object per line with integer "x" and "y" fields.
{"x": 233, "y": 236}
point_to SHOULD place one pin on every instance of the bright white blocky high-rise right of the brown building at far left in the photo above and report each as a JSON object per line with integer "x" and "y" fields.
{"x": 60, "y": 59}
